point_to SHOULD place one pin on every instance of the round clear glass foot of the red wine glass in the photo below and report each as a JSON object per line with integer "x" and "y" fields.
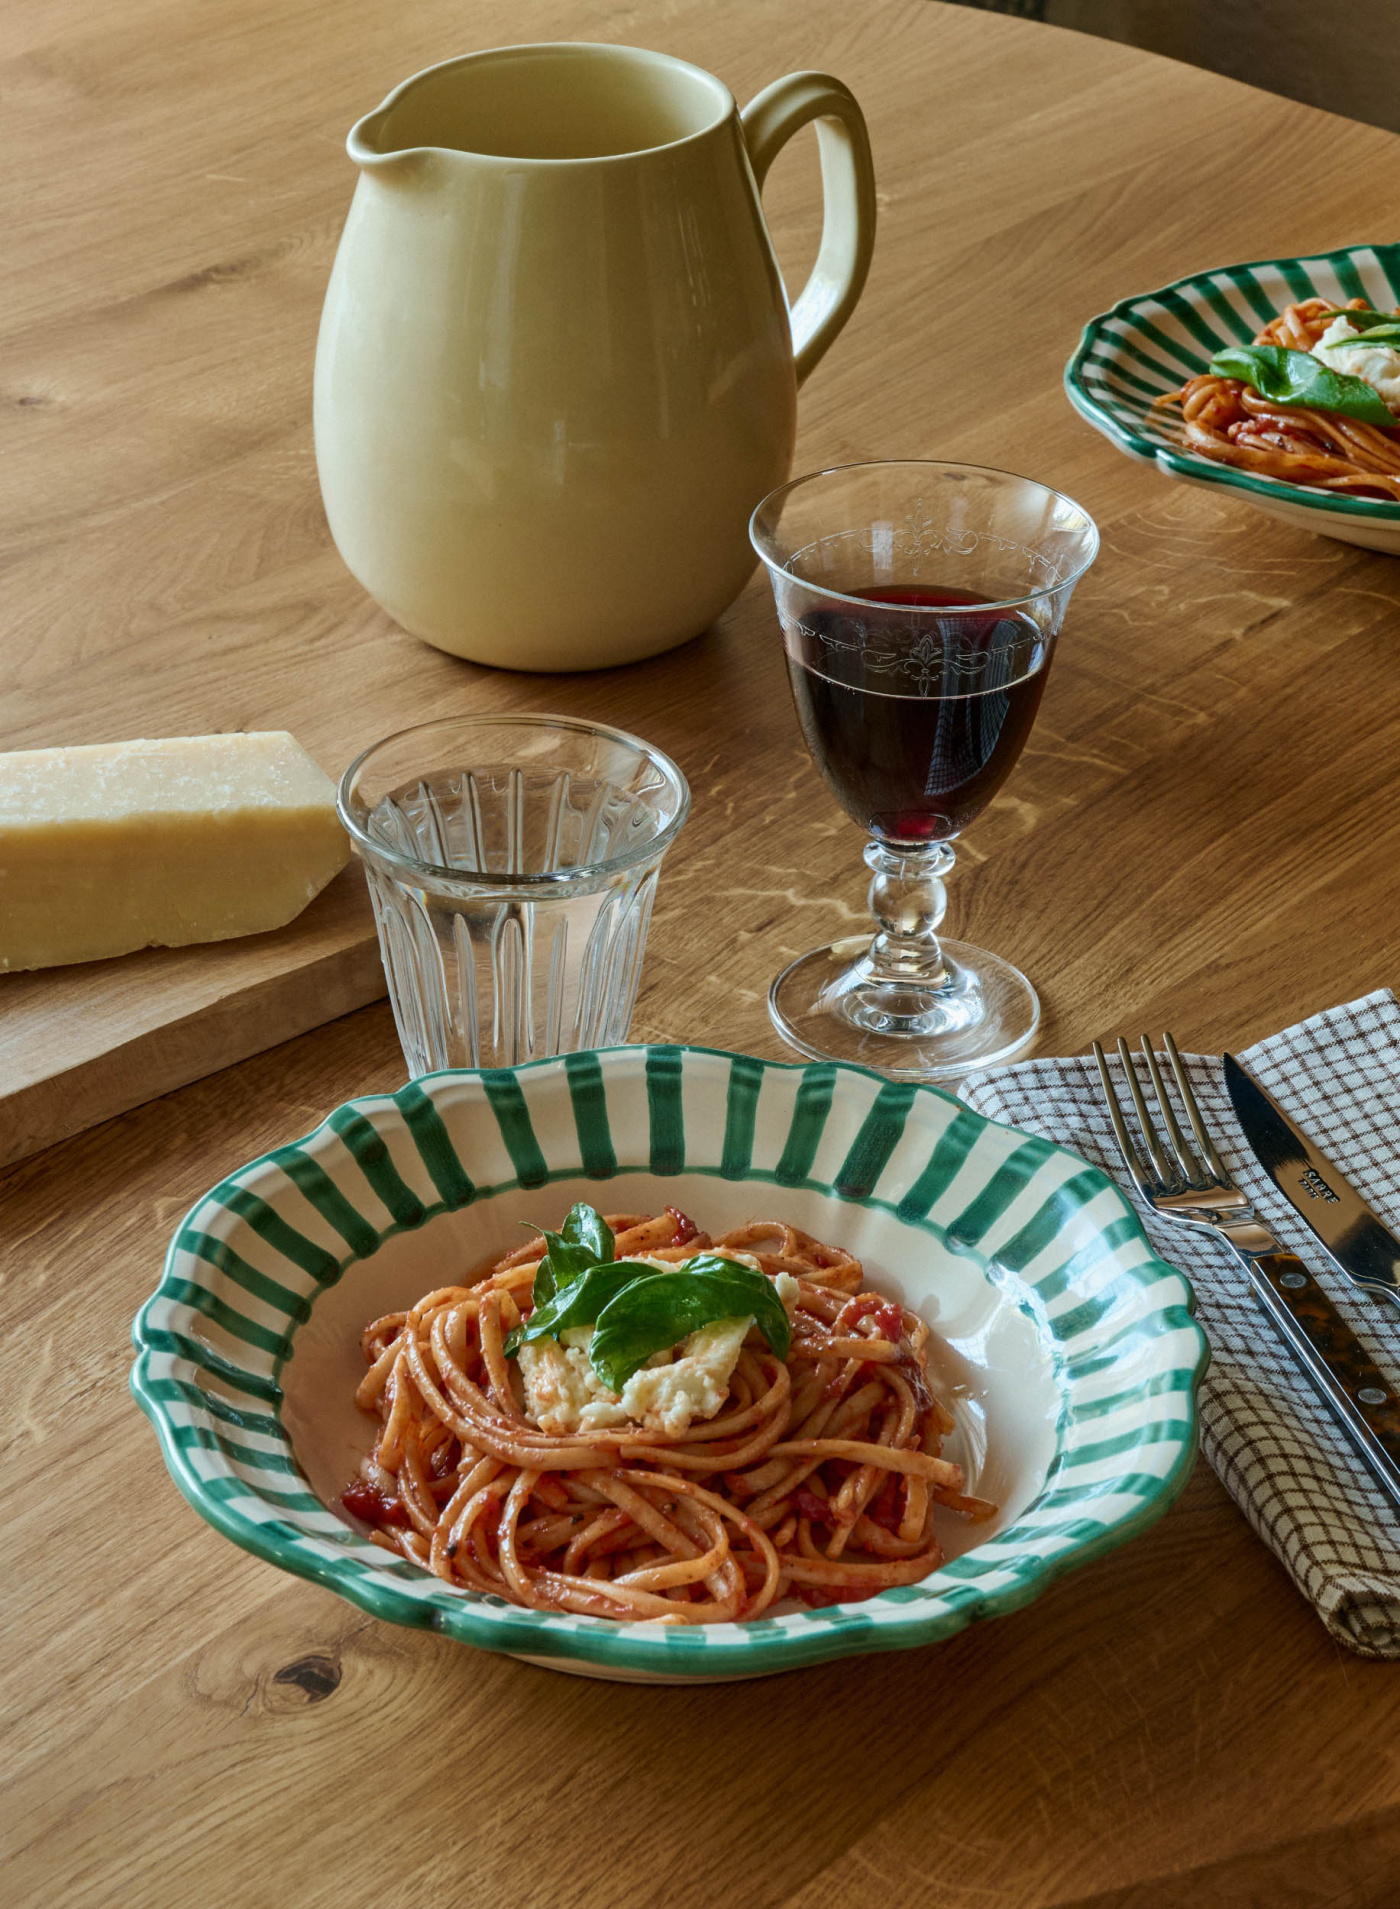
{"x": 985, "y": 1017}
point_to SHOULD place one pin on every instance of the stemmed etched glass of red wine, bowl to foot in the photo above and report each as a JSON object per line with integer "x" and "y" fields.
{"x": 920, "y": 608}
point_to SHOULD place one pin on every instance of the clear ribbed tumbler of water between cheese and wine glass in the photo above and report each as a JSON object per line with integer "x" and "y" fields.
{"x": 513, "y": 862}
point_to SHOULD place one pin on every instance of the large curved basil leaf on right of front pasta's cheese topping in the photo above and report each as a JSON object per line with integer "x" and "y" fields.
{"x": 656, "y": 1314}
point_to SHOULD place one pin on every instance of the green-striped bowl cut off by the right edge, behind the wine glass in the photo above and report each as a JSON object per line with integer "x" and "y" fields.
{"x": 1151, "y": 345}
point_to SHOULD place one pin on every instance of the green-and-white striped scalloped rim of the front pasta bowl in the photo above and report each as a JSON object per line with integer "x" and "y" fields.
{"x": 200, "y": 1429}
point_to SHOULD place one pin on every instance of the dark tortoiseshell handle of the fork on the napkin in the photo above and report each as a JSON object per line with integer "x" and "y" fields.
{"x": 1334, "y": 1358}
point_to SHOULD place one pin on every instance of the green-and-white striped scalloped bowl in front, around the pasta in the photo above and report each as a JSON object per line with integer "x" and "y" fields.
{"x": 1072, "y": 1356}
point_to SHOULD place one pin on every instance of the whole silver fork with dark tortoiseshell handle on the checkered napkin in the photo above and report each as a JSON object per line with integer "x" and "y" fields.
{"x": 1195, "y": 1188}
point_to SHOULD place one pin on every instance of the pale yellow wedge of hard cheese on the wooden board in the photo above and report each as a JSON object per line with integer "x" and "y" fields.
{"x": 121, "y": 847}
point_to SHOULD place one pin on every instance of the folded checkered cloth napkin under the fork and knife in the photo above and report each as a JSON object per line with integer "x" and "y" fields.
{"x": 1265, "y": 1431}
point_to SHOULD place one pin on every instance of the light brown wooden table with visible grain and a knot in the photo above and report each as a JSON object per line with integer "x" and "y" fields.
{"x": 1202, "y": 835}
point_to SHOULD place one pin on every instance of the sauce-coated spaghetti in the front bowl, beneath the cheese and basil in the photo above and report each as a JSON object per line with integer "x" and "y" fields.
{"x": 818, "y": 1477}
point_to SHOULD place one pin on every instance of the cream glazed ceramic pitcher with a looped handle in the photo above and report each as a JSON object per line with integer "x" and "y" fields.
{"x": 557, "y": 367}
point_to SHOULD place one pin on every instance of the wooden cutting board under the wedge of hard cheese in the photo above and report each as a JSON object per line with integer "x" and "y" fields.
{"x": 83, "y": 1045}
